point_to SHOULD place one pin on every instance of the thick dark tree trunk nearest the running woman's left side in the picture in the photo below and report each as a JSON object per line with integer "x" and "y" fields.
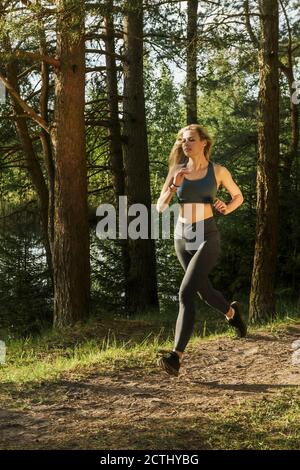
{"x": 142, "y": 281}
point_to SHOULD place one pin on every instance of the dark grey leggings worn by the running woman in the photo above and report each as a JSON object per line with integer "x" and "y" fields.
{"x": 197, "y": 263}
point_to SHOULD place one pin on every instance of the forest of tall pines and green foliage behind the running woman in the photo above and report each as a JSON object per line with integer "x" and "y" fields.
{"x": 92, "y": 96}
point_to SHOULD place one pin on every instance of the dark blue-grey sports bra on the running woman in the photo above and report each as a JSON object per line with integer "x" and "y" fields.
{"x": 201, "y": 190}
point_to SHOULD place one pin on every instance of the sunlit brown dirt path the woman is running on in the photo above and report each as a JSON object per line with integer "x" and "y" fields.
{"x": 131, "y": 410}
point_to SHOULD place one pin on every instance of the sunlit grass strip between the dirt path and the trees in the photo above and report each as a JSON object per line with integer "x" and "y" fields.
{"x": 111, "y": 344}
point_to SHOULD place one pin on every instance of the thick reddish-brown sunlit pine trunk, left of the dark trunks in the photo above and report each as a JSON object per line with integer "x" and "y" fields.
{"x": 71, "y": 232}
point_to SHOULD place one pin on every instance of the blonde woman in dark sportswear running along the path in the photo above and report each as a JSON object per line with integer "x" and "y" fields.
{"x": 196, "y": 180}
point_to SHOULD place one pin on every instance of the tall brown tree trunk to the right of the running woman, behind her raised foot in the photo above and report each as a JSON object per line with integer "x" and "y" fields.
{"x": 262, "y": 302}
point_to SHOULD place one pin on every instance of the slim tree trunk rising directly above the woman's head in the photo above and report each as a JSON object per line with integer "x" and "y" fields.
{"x": 191, "y": 79}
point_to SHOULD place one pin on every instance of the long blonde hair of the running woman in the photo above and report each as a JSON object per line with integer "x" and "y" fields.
{"x": 177, "y": 156}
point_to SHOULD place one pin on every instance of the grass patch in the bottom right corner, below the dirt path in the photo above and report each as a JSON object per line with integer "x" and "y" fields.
{"x": 266, "y": 425}
